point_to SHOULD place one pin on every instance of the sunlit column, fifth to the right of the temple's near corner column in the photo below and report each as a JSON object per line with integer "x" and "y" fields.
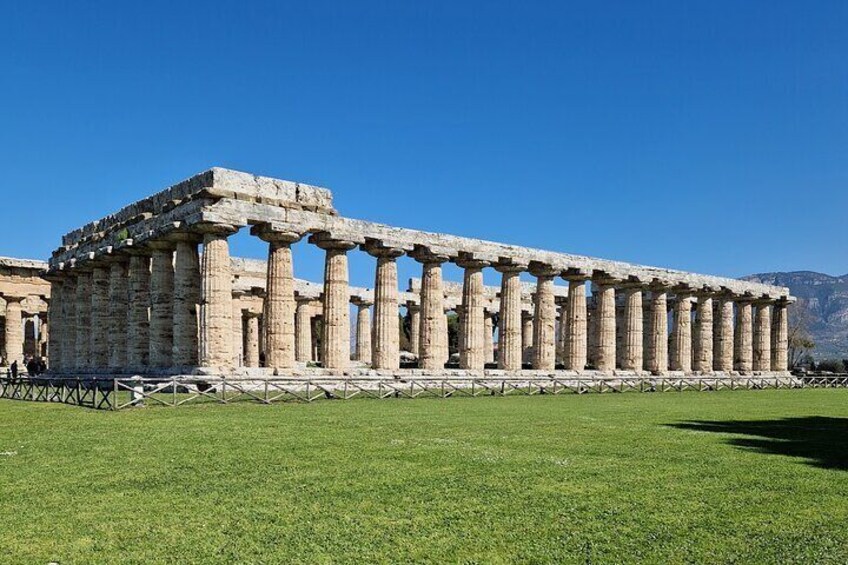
{"x": 472, "y": 355}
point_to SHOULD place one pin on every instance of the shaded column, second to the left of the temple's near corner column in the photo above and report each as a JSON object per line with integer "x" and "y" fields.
{"x": 161, "y": 304}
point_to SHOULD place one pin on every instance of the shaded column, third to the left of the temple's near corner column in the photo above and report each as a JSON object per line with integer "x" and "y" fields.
{"x": 138, "y": 322}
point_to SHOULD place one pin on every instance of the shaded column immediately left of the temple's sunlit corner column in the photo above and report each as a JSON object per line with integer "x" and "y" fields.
{"x": 187, "y": 284}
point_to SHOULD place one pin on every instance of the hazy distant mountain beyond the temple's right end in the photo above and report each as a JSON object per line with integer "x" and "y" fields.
{"x": 822, "y": 305}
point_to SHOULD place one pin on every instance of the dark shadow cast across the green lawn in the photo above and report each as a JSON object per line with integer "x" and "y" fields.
{"x": 823, "y": 441}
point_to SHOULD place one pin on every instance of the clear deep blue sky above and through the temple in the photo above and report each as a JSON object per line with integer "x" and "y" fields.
{"x": 705, "y": 136}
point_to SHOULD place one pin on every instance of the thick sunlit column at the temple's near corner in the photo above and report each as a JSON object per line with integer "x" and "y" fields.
{"x": 216, "y": 301}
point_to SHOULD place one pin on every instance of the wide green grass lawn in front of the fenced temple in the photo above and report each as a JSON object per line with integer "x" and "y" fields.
{"x": 728, "y": 477}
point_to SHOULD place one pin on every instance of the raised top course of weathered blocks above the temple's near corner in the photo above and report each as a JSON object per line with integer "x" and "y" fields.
{"x": 213, "y": 184}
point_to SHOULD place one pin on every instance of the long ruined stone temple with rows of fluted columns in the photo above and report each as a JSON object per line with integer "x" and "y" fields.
{"x": 152, "y": 290}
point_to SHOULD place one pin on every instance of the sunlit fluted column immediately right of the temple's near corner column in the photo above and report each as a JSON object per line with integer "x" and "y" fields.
{"x": 280, "y": 306}
